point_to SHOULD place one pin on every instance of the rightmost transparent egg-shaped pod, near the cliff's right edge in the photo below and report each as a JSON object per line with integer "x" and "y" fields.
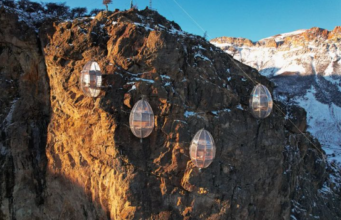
{"x": 260, "y": 101}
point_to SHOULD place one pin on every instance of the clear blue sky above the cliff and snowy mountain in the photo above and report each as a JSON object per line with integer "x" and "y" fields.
{"x": 252, "y": 19}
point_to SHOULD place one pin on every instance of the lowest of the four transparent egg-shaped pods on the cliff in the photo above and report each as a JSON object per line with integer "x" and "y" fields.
{"x": 202, "y": 149}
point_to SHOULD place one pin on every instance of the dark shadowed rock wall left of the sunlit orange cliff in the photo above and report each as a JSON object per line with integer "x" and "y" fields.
{"x": 25, "y": 110}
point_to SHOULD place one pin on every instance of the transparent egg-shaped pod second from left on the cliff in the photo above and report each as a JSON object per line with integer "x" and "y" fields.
{"x": 141, "y": 119}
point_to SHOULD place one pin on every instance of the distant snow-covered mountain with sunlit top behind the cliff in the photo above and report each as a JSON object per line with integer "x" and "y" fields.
{"x": 305, "y": 65}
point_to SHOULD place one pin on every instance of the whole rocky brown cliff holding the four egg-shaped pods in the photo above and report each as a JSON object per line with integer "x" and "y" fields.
{"x": 67, "y": 156}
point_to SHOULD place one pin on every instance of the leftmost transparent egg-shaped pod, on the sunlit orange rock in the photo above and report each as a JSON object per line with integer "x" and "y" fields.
{"x": 91, "y": 79}
